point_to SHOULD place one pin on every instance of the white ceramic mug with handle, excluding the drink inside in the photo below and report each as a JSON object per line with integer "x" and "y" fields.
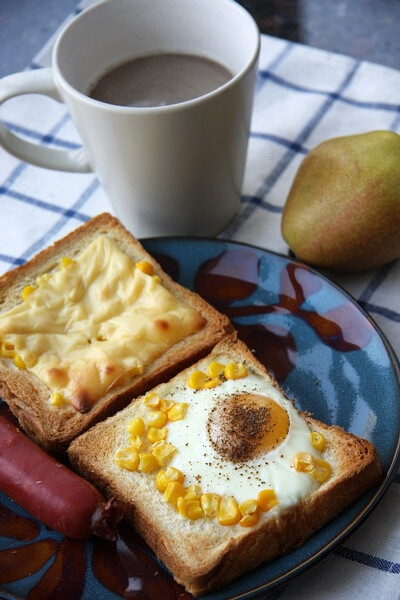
{"x": 175, "y": 169}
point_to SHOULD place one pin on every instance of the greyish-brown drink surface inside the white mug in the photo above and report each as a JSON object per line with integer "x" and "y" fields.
{"x": 159, "y": 79}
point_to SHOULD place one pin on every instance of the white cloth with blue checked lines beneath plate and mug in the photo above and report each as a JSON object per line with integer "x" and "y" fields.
{"x": 303, "y": 97}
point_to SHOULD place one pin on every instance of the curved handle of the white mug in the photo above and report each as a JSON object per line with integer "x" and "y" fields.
{"x": 38, "y": 82}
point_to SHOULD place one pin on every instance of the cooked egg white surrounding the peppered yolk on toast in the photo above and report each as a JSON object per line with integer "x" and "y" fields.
{"x": 202, "y": 464}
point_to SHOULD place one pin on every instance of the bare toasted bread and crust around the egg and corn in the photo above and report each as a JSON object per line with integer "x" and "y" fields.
{"x": 202, "y": 555}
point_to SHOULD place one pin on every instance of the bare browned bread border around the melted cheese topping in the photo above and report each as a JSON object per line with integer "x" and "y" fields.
{"x": 54, "y": 427}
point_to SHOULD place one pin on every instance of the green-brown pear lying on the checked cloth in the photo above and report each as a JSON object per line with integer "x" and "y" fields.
{"x": 343, "y": 208}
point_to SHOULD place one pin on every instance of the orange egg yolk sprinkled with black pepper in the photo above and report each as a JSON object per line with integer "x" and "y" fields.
{"x": 246, "y": 425}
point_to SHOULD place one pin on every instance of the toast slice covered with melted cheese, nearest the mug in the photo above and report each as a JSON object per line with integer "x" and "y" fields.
{"x": 89, "y": 323}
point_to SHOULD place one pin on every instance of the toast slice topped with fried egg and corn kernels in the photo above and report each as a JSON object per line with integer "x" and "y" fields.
{"x": 240, "y": 475}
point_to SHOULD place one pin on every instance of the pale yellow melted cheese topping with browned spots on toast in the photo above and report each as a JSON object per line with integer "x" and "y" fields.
{"x": 95, "y": 323}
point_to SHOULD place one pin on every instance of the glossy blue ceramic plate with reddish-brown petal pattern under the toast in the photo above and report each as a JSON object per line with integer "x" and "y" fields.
{"x": 324, "y": 351}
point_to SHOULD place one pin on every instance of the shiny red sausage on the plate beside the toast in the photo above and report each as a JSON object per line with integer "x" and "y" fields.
{"x": 50, "y": 491}
